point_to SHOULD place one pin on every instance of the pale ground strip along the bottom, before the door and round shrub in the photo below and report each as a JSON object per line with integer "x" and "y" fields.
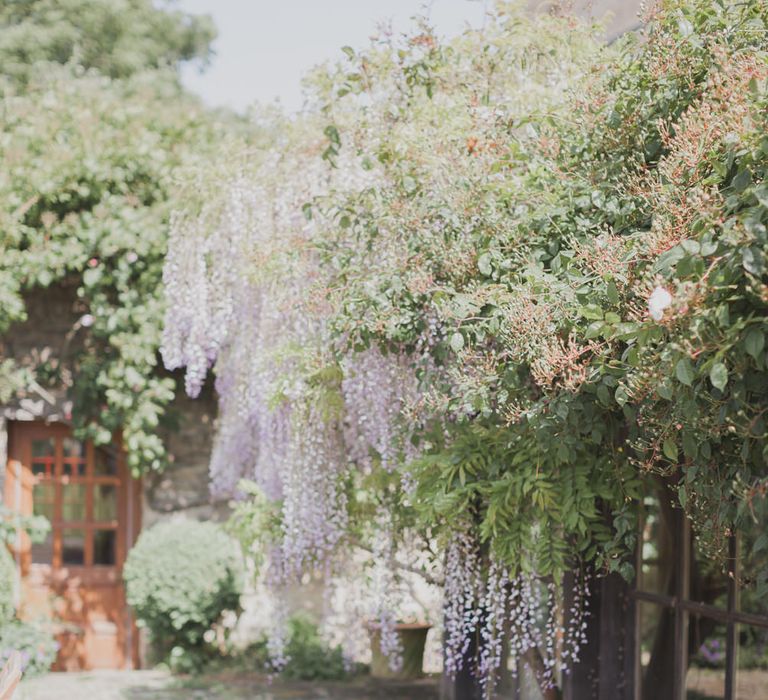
{"x": 159, "y": 685}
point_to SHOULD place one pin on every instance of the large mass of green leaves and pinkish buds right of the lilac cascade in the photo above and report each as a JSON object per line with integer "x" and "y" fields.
{"x": 537, "y": 240}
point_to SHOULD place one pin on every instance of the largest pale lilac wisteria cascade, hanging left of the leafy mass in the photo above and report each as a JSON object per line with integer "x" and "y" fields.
{"x": 244, "y": 293}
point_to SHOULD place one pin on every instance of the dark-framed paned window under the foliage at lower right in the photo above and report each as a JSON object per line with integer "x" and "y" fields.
{"x": 701, "y": 628}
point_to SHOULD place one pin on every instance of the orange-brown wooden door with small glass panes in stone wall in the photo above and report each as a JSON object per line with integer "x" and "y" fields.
{"x": 75, "y": 576}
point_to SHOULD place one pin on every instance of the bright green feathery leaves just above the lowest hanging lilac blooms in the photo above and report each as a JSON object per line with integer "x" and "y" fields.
{"x": 558, "y": 513}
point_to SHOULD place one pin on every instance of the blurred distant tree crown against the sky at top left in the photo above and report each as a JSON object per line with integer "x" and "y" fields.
{"x": 116, "y": 37}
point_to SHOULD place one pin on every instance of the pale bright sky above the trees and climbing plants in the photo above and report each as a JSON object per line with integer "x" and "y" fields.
{"x": 264, "y": 47}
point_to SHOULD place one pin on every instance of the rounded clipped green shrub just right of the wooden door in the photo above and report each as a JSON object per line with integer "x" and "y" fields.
{"x": 179, "y": 578}
